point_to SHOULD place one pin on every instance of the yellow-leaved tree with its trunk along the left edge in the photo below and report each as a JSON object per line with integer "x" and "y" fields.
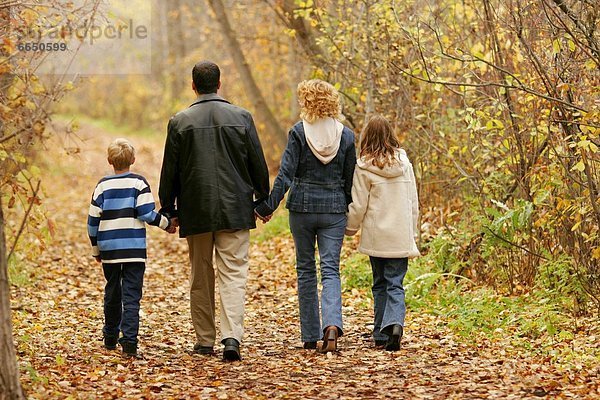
{"x": 26, "y": 102}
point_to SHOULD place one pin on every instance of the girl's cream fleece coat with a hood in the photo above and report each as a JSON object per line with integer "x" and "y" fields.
{"x": 386, "y": 206}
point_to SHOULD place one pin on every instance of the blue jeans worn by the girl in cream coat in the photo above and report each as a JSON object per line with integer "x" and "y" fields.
{"x": 388, "y": 294}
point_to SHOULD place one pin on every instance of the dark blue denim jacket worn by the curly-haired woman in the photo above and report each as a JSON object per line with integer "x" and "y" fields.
{"x": 314, "y": 187}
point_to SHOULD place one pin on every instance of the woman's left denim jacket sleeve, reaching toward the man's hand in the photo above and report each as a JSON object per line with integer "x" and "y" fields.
{"x": 283, "y": 181}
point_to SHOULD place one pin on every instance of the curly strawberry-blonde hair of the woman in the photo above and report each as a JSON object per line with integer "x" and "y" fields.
{"x": 318, "y": 99}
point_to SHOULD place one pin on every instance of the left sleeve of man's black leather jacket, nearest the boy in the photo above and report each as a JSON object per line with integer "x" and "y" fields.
{"x": 168, "y": 190}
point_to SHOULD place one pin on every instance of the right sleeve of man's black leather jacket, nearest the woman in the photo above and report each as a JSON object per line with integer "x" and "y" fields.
{"x": 259, "y": 172}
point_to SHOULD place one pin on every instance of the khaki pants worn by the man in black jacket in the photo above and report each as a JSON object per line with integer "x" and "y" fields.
{"x": 231, "y": 255}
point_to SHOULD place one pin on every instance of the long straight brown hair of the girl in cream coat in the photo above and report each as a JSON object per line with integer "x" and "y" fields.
{"x": 378, "y": 142}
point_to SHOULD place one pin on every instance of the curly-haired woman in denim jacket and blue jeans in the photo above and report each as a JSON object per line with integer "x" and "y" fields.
{"x": 317, "y": 166}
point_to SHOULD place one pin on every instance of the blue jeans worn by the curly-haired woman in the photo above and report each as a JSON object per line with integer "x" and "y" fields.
{"x": 327, "y": 231}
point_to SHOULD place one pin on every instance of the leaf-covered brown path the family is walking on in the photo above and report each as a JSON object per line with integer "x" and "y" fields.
{"x": 58, "y": 320}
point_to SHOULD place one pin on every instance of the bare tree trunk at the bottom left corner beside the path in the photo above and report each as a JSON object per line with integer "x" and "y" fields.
{"x": 10, "y": 387}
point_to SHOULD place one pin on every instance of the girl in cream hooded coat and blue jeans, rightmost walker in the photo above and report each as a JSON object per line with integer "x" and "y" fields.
{"x": 385, "y": 204}
